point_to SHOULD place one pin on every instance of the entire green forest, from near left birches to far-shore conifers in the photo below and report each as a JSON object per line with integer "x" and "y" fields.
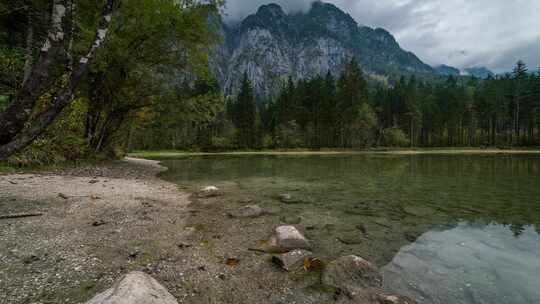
{"x": 98, "y": 79}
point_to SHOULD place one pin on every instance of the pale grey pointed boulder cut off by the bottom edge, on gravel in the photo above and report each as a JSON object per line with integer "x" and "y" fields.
{"x": 135, "y": 288}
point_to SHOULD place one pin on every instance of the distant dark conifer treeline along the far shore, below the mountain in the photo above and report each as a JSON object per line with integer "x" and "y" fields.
{"x": 346, "y": 112}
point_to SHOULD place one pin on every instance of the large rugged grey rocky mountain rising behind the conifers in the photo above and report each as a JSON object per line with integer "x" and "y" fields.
{"x": 272, "y": 45}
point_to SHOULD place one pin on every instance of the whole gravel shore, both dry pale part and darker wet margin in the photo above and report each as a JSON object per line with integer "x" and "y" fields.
{"x": 101, "y": 222}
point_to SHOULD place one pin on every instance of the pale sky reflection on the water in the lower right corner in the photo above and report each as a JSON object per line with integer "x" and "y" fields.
{"x": 469, "y": 264}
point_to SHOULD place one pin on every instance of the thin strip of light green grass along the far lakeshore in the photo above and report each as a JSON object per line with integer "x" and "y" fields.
{"x": 396, "y": 151}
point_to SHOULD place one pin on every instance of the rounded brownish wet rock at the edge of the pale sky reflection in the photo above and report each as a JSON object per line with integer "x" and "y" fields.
{"x": 351, "y": 274}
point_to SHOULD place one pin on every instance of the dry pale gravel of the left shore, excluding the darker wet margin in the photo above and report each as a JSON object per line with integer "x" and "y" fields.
{"x": 96, "y": 224}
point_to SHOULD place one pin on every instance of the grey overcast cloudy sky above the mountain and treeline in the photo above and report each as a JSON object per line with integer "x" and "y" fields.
{"x": 460, "y": 33}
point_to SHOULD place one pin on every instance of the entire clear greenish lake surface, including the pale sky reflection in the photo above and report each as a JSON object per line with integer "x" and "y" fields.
{"x": 443, "y": 228}
